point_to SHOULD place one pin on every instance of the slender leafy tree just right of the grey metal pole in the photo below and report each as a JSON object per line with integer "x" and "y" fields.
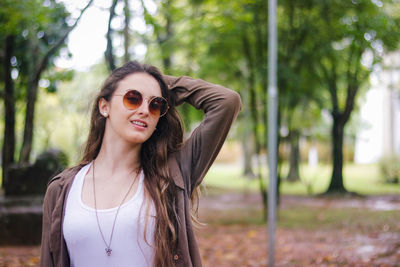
{"x": 297, "y": 87}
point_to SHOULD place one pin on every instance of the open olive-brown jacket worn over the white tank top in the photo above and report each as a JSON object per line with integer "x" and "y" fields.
{"x": 187, "y": 167}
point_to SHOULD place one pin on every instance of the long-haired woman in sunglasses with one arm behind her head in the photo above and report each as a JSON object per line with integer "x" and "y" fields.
{"x": 128, "y": 201}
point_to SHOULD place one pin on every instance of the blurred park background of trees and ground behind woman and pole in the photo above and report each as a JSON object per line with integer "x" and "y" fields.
{"x": 339, "y": 117}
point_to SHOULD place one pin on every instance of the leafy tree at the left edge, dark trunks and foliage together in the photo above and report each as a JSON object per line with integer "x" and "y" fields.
{"x": 35, "y": 30}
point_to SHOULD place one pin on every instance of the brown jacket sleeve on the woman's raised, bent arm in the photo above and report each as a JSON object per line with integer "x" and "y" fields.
{"x": 220, "y": 106}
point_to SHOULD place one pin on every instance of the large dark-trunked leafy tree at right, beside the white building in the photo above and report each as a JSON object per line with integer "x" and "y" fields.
{"x": 349, "y": 32}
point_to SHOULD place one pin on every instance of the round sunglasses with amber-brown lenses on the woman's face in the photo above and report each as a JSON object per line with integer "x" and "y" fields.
{"x": 133, "y": 99}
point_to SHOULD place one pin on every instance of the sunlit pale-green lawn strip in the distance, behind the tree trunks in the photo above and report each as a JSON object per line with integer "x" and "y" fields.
{"x": 362, "y": 179}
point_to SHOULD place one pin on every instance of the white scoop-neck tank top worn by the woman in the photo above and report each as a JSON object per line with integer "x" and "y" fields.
{"x": 85, "y": 245}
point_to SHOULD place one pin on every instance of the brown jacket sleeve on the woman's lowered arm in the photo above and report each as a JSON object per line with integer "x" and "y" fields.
{"x": 46, "y": 258}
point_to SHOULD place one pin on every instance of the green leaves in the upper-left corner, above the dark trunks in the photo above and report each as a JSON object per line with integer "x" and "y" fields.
{"x": 36, "y": 27}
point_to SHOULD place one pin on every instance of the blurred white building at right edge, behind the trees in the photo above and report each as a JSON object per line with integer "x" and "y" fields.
{"x": 380, "y": 114}
